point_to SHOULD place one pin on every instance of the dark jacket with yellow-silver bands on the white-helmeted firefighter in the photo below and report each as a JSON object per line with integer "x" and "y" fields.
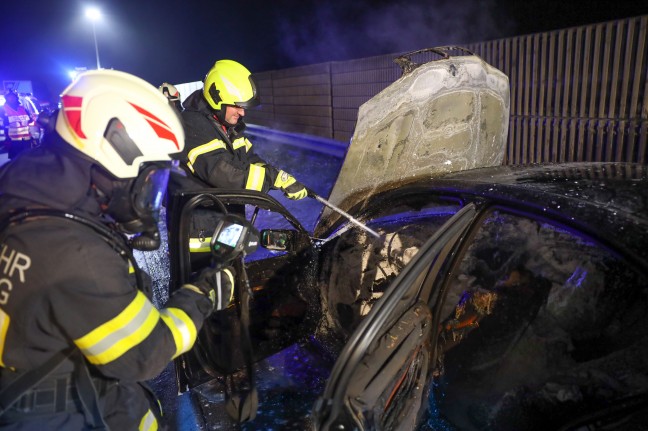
{"x": 62, "y": 285}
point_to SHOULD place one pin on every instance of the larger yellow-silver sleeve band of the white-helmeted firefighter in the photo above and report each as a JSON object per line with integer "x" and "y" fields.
{"x": 112, "y": 339}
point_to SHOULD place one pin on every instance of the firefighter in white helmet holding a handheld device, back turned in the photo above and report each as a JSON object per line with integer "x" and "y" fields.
{"x": 78, "y": 331}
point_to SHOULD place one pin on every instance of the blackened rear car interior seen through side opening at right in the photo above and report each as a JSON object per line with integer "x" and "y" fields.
{"x": 537, "y": 319}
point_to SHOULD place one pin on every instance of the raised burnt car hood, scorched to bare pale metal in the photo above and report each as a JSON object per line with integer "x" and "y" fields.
{"x": 443, "y": 116}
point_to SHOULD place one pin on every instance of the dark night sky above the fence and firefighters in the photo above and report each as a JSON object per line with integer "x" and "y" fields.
{"x": 178, "y": 41}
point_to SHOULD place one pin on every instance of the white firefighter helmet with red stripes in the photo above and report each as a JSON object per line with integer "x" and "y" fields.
{"x": 119, "y": 120}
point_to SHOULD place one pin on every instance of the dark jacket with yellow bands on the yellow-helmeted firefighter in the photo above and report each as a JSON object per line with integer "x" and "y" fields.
{"x": 219, "y": 158}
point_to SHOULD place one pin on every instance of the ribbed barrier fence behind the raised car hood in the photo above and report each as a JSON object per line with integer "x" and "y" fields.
{"x": 577, "y": 94}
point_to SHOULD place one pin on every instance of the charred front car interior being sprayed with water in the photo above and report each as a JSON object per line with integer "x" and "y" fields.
{"x": 357, "y": 268}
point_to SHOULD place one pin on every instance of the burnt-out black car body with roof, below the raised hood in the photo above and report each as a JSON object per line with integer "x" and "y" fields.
{"x": 524, "y": 310}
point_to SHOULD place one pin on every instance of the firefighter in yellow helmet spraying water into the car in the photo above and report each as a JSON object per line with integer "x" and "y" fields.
{"x": 216, "y": 153}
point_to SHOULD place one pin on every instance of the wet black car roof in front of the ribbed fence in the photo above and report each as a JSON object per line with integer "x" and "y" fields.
{"x": 606, "y": 200}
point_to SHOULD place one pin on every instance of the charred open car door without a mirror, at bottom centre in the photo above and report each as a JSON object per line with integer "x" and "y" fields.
{"x": 383, "y": 380}
